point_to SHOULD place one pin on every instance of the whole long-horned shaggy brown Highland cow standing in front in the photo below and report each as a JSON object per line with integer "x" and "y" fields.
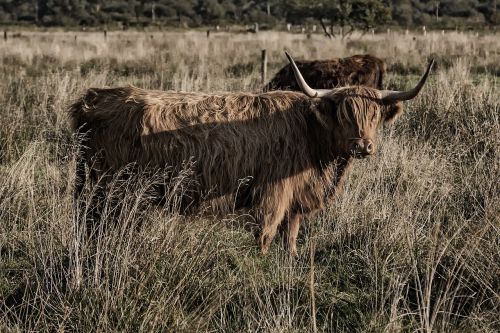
{"x": 280, "y": 155}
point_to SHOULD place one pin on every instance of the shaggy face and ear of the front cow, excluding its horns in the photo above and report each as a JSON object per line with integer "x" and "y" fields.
{"x": 356, "y": 113}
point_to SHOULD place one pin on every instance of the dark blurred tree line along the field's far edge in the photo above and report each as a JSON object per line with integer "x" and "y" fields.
{"x": 359, "y": 14}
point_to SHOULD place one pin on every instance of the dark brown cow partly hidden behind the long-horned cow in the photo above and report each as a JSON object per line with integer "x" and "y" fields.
{"x": 363, "y": 70}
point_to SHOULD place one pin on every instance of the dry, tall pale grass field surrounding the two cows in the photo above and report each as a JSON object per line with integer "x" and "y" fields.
{"x": 412, "y": 244}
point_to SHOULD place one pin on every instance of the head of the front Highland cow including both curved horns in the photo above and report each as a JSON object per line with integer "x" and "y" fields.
{"x": 354, "y": 113}
